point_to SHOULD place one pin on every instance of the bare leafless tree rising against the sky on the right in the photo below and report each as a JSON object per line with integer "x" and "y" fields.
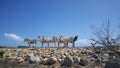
{"x": 104, "y": 35}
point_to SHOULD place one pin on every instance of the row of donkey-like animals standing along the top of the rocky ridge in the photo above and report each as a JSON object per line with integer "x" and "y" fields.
{"x": 54, "y": 40}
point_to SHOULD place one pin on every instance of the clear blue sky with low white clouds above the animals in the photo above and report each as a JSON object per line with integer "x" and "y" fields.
{"x": 31, "y": 18}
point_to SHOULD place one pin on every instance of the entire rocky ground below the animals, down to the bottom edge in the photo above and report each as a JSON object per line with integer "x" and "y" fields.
{"x": 59, "y": 58}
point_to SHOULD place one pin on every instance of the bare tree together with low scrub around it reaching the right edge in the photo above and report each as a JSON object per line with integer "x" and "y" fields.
{"x": 104, "y": 36}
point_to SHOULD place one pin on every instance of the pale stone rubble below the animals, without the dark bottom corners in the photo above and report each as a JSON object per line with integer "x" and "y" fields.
{"x": 63, "y": 57}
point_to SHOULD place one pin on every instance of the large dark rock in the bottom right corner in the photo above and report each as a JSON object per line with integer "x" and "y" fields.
{"x": 113, "y": 64}
